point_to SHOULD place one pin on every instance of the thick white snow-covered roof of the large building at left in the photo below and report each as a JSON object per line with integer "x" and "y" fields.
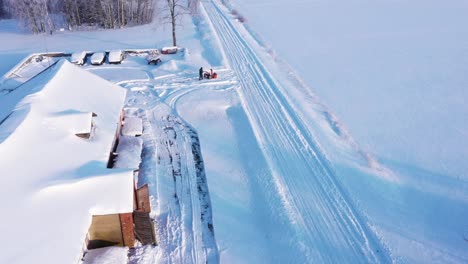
{"x": 54, "y": 181}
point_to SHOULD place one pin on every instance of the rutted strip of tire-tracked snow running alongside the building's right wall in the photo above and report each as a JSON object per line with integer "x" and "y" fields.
{"x": 173, "y": 167}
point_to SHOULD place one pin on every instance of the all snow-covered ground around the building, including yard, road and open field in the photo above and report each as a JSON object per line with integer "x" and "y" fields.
{"x": 375, "y": 175}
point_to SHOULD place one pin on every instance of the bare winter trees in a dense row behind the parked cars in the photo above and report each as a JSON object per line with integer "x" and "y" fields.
{"x": 46, "y": 15}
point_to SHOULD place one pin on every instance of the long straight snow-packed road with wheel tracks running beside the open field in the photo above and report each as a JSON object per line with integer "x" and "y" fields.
{"x": 316, "y": 214}
